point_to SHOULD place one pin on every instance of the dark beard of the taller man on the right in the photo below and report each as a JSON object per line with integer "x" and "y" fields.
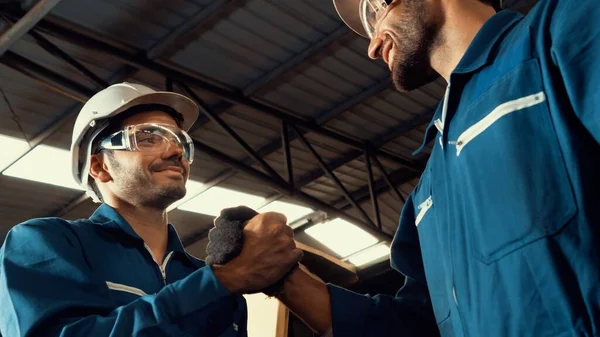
{"x": 411, "y": 67}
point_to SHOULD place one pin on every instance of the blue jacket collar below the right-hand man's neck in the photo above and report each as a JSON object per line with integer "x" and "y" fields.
{"x": 477, "y": 55}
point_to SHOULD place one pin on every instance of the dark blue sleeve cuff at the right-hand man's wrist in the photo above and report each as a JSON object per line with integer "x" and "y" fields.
{"x": 349, "y": 311}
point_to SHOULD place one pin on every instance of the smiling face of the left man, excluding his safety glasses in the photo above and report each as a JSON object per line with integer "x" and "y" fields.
{"x": 150, "y": 179}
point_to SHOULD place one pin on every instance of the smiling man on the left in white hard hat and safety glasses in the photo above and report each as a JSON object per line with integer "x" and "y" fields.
{"x": 124, "y": 271}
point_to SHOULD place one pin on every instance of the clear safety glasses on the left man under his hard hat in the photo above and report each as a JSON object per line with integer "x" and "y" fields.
{"x": 150, "y": 138}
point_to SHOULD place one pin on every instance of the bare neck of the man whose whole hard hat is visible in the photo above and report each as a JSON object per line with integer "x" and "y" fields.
{"x": 149, "y": 223}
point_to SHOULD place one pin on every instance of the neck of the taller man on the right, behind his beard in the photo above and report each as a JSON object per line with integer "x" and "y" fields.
{"x": 463, "y": 20}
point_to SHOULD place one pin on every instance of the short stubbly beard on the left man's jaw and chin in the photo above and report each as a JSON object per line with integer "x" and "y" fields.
{"x": 137, "y": 187}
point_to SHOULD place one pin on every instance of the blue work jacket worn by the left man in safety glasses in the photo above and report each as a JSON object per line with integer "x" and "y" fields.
{"x": 96, "y": 277}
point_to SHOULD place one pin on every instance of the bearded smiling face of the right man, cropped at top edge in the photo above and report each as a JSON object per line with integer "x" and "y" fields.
{"x": 405, "y": 38}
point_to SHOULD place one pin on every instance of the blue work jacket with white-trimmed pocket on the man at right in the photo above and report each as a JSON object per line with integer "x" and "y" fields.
{"x": 501, "y": 237}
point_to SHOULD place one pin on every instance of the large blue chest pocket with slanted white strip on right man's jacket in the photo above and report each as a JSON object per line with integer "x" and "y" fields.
{"x": 509, "y": 167}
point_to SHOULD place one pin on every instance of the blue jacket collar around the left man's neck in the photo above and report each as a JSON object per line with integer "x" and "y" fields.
{"x": 108, "y": 217}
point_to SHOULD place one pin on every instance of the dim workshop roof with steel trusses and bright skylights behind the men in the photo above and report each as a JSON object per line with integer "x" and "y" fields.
{"x": 294, "y": 118}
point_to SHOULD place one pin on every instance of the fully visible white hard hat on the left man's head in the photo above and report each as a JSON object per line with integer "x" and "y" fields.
{"x": 93, "y": 119}
